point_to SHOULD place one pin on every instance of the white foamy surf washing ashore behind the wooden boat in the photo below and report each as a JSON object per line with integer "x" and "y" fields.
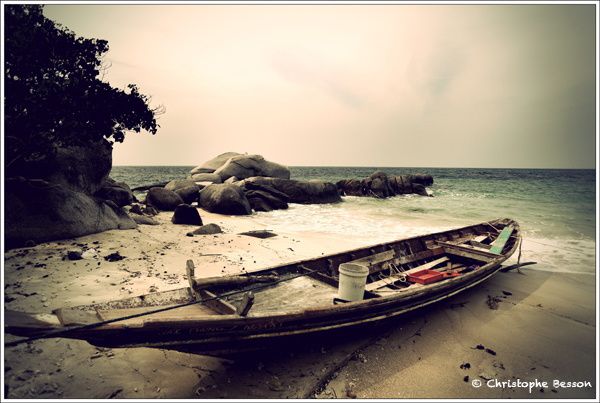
{"x": 383, "y": 220}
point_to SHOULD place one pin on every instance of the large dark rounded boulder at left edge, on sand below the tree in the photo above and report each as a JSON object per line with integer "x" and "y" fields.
{"x": 40, "y": 211}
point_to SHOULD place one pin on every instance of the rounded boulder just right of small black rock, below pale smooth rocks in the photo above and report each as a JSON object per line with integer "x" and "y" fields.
{"x": 224, "y": 199}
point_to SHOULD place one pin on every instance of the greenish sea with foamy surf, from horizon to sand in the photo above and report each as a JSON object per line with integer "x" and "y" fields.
{"x": 555, "y": 208}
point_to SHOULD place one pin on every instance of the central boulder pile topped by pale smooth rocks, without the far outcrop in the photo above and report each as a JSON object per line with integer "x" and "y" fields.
{"x": 233, "y": 184}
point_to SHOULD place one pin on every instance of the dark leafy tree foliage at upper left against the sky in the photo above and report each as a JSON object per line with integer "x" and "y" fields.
{"x": 54, "y": 95}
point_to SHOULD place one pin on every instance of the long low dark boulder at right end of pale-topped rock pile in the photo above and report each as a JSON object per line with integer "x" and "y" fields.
{"x": 303, "y": 192}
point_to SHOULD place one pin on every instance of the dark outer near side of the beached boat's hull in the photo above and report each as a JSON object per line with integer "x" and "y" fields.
{"x": 221, "y": 337}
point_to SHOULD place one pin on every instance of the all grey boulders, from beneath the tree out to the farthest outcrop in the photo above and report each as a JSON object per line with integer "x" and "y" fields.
{"x": 72, "y": 194}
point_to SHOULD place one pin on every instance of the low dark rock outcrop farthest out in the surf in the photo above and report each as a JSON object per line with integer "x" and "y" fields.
{"x": 381, "y": 185}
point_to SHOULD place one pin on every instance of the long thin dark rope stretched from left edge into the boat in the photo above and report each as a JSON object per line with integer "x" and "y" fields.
{"x": 62, "y": 332}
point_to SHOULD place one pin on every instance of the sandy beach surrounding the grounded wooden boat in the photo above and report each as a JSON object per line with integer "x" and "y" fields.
{"x": 543, "y": 328}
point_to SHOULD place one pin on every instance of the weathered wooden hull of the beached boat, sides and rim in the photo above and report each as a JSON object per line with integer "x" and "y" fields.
{"x": 225, "y": 334}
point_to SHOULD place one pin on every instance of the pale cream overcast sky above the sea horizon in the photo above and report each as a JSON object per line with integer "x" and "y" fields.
{"x": 355, "y": 85}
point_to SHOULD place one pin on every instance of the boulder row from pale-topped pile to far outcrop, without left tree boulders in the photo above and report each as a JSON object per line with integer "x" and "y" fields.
{"x": 237, "y": 184}
